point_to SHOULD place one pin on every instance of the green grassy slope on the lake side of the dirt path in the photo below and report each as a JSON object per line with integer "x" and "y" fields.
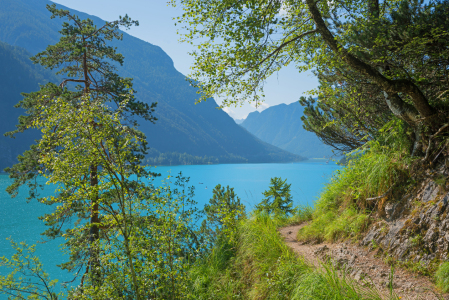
{"x": 260, "y": 266}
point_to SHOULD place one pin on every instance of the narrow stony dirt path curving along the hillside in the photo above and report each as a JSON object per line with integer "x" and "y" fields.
{"x": 363, "y": 266}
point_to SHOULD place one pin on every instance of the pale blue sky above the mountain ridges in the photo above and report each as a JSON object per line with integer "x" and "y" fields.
{"x": 158, "y": 28}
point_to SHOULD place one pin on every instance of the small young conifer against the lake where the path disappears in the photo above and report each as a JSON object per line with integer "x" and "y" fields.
{"x": 277, "y": 198}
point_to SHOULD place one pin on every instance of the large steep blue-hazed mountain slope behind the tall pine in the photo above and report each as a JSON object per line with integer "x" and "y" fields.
{"x": 186, "y": 132}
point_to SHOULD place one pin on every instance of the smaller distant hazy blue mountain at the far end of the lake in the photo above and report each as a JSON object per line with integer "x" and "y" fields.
{"x": 281, "y": 126}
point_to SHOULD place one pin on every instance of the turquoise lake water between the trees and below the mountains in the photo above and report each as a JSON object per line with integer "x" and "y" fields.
{"x": 19, "y": 219}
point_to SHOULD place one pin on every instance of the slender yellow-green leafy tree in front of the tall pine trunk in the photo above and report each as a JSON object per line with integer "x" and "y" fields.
{"x": 89, "y": 133}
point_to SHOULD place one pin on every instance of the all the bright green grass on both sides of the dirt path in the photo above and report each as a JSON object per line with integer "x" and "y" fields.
{"x": 260, "y": 266}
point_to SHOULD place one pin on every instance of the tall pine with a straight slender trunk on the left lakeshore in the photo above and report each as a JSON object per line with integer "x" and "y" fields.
{"x": 76, "y": 152}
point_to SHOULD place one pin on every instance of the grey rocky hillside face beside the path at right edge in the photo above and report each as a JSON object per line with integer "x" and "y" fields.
{"x": 415, "y": 228}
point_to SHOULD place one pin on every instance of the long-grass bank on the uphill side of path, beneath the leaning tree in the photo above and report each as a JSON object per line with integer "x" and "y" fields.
{"x": 343, "y": 211}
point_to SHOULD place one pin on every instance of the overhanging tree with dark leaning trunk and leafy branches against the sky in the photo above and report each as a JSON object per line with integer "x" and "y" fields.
{"x": 397, "y": 47}
